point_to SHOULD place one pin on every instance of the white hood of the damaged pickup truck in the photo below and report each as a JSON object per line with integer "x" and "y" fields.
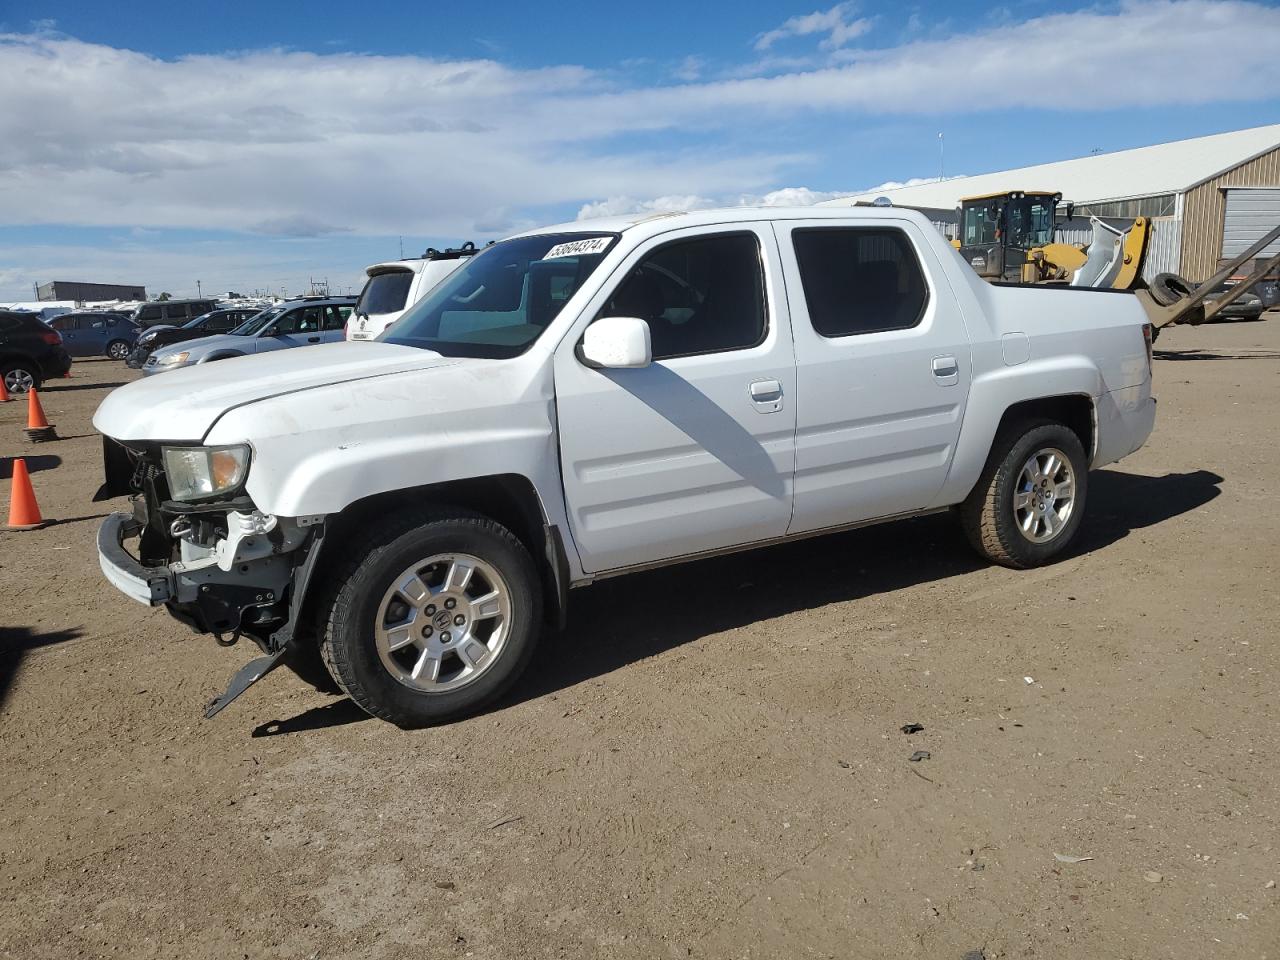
{"x": 184, "y": 405}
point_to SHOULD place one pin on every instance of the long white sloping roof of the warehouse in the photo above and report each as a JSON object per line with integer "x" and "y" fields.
{"x": 1165, "y": 168}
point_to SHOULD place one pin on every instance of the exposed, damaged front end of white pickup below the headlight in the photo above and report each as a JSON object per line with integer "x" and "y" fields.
{"x": 249, "y": 582}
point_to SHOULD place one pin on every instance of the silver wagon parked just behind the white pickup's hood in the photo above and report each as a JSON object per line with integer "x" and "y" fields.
{"x": 294, "y": 324}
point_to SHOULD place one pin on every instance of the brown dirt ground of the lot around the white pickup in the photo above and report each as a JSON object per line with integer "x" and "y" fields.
{"x": 708, "y": 764}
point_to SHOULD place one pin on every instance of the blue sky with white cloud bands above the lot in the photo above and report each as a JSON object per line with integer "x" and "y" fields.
{"x": 260, "y": 145}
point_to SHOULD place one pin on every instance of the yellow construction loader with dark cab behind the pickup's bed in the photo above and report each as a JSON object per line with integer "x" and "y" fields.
{"x": 1011, "y": 237}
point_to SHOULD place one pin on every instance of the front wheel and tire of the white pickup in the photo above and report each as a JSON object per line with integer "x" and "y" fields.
{"x": 391, "y": 639}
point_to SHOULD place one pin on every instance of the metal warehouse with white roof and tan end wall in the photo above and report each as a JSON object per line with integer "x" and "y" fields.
{"x": 1210, "y": 198}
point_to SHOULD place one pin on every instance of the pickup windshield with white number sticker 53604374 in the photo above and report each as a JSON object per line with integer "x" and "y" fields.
{"x": 502, "y": 300}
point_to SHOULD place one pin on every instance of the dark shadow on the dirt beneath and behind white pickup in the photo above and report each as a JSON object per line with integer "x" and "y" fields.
{"x": 620, "y": 621}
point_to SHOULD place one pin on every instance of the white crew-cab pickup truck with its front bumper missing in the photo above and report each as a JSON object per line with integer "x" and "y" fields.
{"x": 597, "y": 399}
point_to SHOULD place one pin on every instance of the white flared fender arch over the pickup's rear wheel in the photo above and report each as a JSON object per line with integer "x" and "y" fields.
{"x": 994, "y": 394}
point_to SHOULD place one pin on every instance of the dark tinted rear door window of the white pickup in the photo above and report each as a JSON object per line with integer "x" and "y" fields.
{"x": 860, "y": 280}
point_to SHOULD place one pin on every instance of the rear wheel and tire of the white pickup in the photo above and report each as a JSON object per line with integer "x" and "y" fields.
{"x": 1005, "y": 516}
